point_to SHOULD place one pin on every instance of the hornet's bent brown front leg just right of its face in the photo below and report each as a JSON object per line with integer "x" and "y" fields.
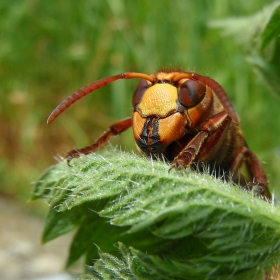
{"x": 211, "y": 130}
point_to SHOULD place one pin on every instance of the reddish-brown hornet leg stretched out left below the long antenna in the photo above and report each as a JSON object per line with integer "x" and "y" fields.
{"x": 114, "y": 129}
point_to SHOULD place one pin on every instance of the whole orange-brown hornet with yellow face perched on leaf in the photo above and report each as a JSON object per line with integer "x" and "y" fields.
{"x": 185, "y": 117}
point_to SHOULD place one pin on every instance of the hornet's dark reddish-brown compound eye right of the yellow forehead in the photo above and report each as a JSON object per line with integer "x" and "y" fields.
{"x": 191, "y": 93}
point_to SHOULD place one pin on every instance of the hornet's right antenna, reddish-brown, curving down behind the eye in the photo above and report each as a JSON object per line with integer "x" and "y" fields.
{"x": 217, "y": 89}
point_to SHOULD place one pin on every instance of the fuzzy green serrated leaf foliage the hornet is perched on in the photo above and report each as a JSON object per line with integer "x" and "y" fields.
{"x": 168, "y": 225}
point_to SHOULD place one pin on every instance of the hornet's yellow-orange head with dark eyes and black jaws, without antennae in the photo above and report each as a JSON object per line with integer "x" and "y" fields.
{"x": 163, "y": 112}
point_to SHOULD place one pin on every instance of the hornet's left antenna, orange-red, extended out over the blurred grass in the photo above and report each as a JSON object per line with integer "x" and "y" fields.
{"x": 92, "y": 87}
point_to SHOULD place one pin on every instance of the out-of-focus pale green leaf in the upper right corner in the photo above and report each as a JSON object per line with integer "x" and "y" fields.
{"x": 261, "y": 43}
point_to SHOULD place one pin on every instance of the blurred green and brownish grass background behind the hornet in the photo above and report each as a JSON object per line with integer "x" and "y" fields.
{"x": 49, "y": 49}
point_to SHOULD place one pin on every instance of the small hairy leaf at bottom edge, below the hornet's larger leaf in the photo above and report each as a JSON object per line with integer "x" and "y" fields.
{"x": 135, "y": 264}
